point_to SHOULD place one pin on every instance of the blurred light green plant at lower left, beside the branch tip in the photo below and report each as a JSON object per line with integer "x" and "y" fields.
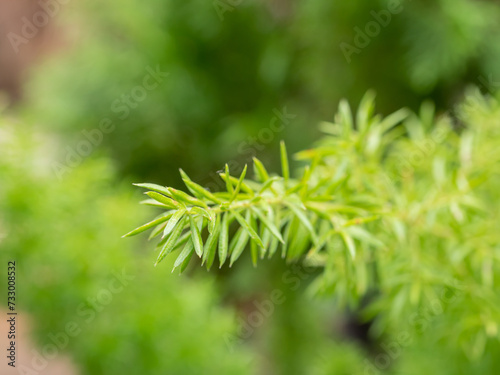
{"x": 72, "y": 268}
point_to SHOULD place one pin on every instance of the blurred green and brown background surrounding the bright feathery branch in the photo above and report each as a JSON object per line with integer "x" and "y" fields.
{"x": 110, "y": 93}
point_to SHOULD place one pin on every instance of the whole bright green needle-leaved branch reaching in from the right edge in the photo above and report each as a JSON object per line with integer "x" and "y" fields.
{"x": 401, "y": 209}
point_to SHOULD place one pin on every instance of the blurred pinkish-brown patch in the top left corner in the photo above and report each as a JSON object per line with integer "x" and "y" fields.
{"x": 14, "y": 16}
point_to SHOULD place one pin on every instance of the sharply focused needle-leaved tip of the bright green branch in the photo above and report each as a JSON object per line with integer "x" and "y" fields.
{"x": 266, "y": 212}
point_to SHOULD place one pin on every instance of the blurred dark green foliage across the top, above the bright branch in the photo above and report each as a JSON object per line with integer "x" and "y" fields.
{"x": 229, "y": 70}
